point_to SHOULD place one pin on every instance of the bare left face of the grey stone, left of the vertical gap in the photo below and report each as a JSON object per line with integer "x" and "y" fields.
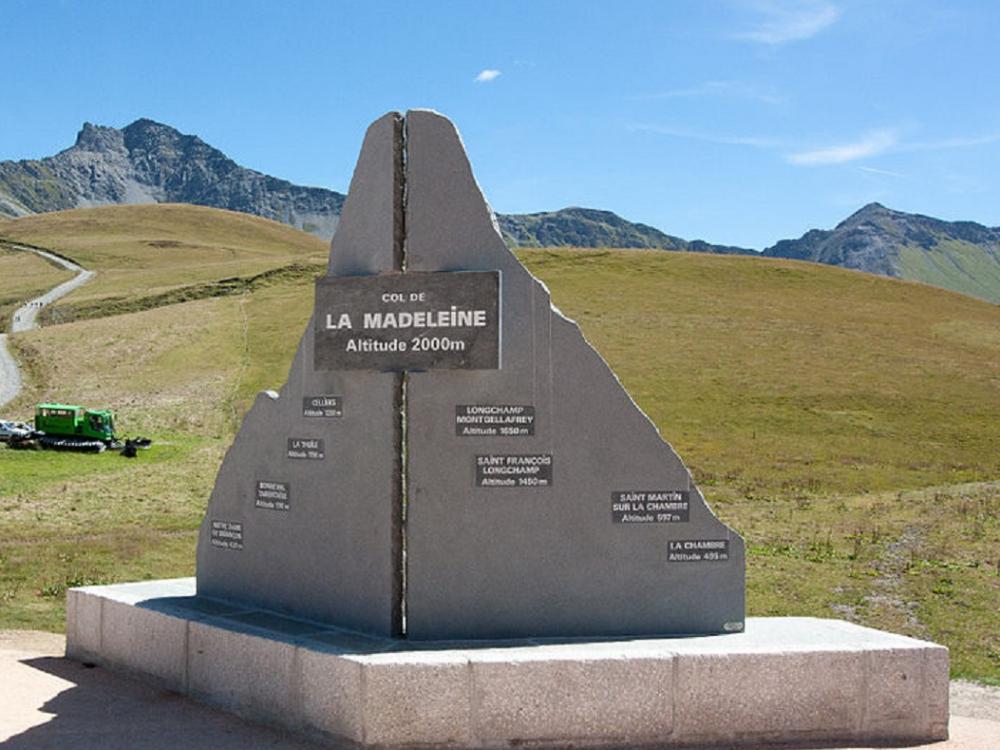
{"x": 333, "y": 555}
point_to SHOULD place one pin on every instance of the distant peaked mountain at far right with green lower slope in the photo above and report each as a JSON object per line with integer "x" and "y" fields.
{"x": 960, "y": 255}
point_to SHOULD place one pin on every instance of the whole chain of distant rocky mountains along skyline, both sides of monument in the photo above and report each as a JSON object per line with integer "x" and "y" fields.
{"x": 150, "y": 162}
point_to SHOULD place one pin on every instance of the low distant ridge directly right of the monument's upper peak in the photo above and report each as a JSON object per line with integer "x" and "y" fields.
{"x": 588, "y": 227}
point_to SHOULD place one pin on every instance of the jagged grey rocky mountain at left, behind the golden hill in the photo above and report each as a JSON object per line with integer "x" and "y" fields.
{"x": 148, "y": 162}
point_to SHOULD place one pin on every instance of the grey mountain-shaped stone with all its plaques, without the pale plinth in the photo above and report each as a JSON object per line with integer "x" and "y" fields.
{"x": 540, "y": 500}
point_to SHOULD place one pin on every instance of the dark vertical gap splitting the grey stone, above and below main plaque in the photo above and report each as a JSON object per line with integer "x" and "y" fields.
{"x": 399, "y": 389}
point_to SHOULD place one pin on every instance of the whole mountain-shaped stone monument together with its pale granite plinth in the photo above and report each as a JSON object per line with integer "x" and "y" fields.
{"x": 452, "y": 527}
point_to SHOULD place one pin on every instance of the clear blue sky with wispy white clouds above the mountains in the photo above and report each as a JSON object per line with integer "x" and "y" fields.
{"x": 739, "y": 122}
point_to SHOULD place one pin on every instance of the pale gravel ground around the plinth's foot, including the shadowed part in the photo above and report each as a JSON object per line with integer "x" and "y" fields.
{"x": 47, "y": 702}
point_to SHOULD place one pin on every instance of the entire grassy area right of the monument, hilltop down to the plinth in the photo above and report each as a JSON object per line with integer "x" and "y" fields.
{"x": 847, "y": 424}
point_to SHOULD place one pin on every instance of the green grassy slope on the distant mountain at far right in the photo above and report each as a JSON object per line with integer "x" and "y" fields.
{"x": 954, "y": 264}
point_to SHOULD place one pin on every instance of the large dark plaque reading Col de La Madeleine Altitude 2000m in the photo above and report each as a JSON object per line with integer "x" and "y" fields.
{"x": 412, "y": 321}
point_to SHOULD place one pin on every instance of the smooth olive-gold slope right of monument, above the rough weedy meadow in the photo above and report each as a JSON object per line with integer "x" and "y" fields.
{"x": 780, "y": 377}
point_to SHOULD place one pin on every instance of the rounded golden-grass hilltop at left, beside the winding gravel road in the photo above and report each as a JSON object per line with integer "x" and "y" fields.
{"x": 144, "y": 254}
